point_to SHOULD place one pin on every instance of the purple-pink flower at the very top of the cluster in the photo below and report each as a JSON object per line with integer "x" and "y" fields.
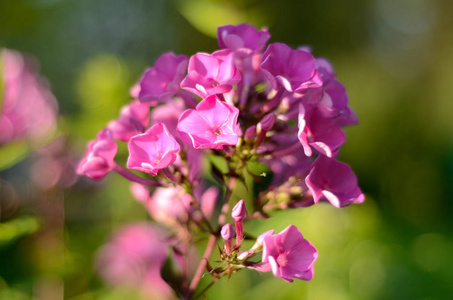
{"x": 243, "y": 39}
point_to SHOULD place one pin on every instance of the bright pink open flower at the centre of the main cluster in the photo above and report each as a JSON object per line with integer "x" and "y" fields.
{"x": 211, "y": 125}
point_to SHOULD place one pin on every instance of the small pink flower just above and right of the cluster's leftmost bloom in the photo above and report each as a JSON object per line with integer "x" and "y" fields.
{"x": 133, "y": 120}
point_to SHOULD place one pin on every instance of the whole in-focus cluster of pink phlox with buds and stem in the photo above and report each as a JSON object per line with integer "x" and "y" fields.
{"x": 248, "y": 102}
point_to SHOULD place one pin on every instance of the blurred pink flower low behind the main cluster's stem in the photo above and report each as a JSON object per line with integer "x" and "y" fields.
{"x": 134, "y": 257}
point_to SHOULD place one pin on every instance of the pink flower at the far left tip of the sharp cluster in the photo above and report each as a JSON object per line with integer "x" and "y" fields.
{"x": 98, "y": 160}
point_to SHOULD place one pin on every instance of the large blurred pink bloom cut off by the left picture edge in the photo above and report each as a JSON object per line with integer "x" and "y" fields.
{"x": 28, "y": 108}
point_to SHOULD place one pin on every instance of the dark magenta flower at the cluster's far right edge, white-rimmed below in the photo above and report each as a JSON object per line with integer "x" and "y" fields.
{"x": 335, "y": 181}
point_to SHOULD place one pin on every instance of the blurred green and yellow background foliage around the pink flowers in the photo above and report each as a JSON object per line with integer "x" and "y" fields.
{"x": 395, "y": 58}
